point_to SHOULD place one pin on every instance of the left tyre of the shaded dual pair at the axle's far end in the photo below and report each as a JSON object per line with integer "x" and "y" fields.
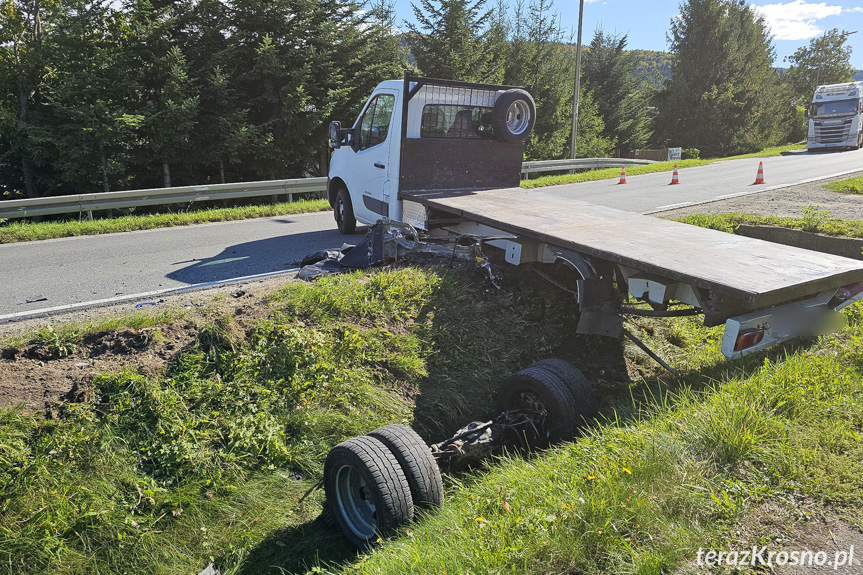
{"x": 538, "y": 389}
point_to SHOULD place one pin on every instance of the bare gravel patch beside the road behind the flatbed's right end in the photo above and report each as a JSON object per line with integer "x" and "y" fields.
{"x": 785, "y": 202}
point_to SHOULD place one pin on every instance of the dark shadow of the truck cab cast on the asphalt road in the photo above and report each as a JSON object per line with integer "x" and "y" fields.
{"x": 258, "y": 257}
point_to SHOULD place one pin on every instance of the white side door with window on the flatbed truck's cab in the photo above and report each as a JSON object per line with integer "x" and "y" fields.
{"x": 372, "y": 162}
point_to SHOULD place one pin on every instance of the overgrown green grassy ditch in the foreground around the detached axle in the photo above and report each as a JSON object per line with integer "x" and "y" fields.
{"x": 208, "y": 461}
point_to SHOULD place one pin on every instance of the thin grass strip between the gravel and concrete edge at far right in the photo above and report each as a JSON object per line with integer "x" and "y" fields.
{"x": 812, "y": 220}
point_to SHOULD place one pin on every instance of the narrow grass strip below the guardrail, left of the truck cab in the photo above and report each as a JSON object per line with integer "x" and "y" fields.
{"x": 16, "y": 231}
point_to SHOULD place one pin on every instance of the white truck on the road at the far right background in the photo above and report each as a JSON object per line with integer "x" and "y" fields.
{"x": 836, "y": 117}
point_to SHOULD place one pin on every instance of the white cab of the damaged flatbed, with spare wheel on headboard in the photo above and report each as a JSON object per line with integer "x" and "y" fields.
{"x": 424, "y": 133}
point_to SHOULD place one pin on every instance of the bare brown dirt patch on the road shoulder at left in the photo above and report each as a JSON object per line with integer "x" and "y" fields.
{"x": 35, "y": 376}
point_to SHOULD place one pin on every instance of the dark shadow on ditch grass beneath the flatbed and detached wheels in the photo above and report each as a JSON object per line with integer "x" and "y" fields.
{"x": 480, "y": 336}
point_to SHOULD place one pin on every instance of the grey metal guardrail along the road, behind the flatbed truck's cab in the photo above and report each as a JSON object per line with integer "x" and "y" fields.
{"x": 87, "y": 203}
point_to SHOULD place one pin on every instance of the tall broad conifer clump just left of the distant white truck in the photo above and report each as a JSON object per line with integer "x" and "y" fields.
{"x": 722, "y": 96}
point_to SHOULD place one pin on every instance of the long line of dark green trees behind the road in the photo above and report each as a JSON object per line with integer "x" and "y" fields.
{"x": 105, "y": 95}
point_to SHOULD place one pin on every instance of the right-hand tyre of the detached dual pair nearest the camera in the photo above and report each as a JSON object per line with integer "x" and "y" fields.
{"x": 418, "y": 464}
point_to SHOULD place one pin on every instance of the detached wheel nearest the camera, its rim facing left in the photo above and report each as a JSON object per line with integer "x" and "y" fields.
{"x": 366, "y": 490}
